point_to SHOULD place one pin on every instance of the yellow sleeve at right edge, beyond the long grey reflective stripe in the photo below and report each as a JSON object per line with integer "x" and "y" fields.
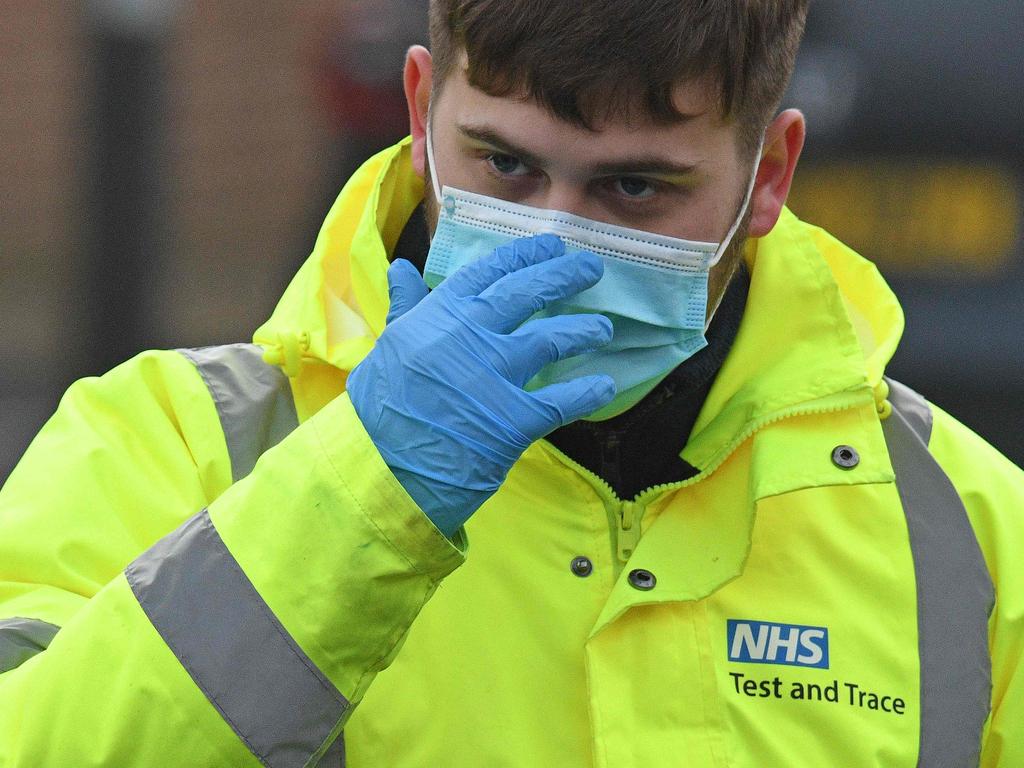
{"x": 993, "y": 490}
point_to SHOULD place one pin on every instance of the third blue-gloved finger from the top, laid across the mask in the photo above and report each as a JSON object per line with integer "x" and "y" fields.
{"x": 546, "y": 340}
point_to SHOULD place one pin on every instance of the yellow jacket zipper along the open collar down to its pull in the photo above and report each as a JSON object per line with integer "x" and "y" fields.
{"x": 626, "y": 517}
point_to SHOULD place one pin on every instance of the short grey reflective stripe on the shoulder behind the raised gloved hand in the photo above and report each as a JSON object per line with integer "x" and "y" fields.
{"x": 253, "y": 400}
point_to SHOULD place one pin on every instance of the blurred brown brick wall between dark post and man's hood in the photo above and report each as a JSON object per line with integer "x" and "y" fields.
{"x": 249, "y": 146}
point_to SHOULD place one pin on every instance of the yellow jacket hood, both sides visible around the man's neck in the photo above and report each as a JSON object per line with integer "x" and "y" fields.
{"x": 821, "y": 322}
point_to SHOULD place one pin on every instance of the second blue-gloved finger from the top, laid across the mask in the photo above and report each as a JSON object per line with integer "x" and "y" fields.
{"x": 510, "y": 302}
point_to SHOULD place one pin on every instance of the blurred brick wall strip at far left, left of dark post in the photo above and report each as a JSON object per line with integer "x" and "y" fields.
{"x": 41, "y": 94}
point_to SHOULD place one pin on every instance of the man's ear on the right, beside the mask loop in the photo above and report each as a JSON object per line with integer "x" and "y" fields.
{"x": 784, "y": 143}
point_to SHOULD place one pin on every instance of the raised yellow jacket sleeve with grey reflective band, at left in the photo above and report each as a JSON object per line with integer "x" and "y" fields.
{"x": 152, "y": 613}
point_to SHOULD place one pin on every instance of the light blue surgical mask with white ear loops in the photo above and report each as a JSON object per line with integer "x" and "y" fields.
{"x": 655, "y": 289}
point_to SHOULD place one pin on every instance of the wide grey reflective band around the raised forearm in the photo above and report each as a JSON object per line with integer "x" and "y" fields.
{"x": 229, "y": 641}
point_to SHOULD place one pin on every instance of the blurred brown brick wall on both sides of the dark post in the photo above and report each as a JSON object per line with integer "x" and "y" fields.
{"x": 242, "y": 187}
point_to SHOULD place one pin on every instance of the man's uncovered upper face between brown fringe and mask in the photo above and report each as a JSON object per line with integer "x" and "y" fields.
{"x": 686, "y": 181}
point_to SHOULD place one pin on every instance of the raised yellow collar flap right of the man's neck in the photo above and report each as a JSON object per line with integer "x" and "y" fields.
{"x": 807, "y": 340}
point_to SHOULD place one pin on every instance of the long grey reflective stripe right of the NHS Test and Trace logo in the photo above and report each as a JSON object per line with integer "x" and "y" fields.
{"x": 955, "y": 592}
